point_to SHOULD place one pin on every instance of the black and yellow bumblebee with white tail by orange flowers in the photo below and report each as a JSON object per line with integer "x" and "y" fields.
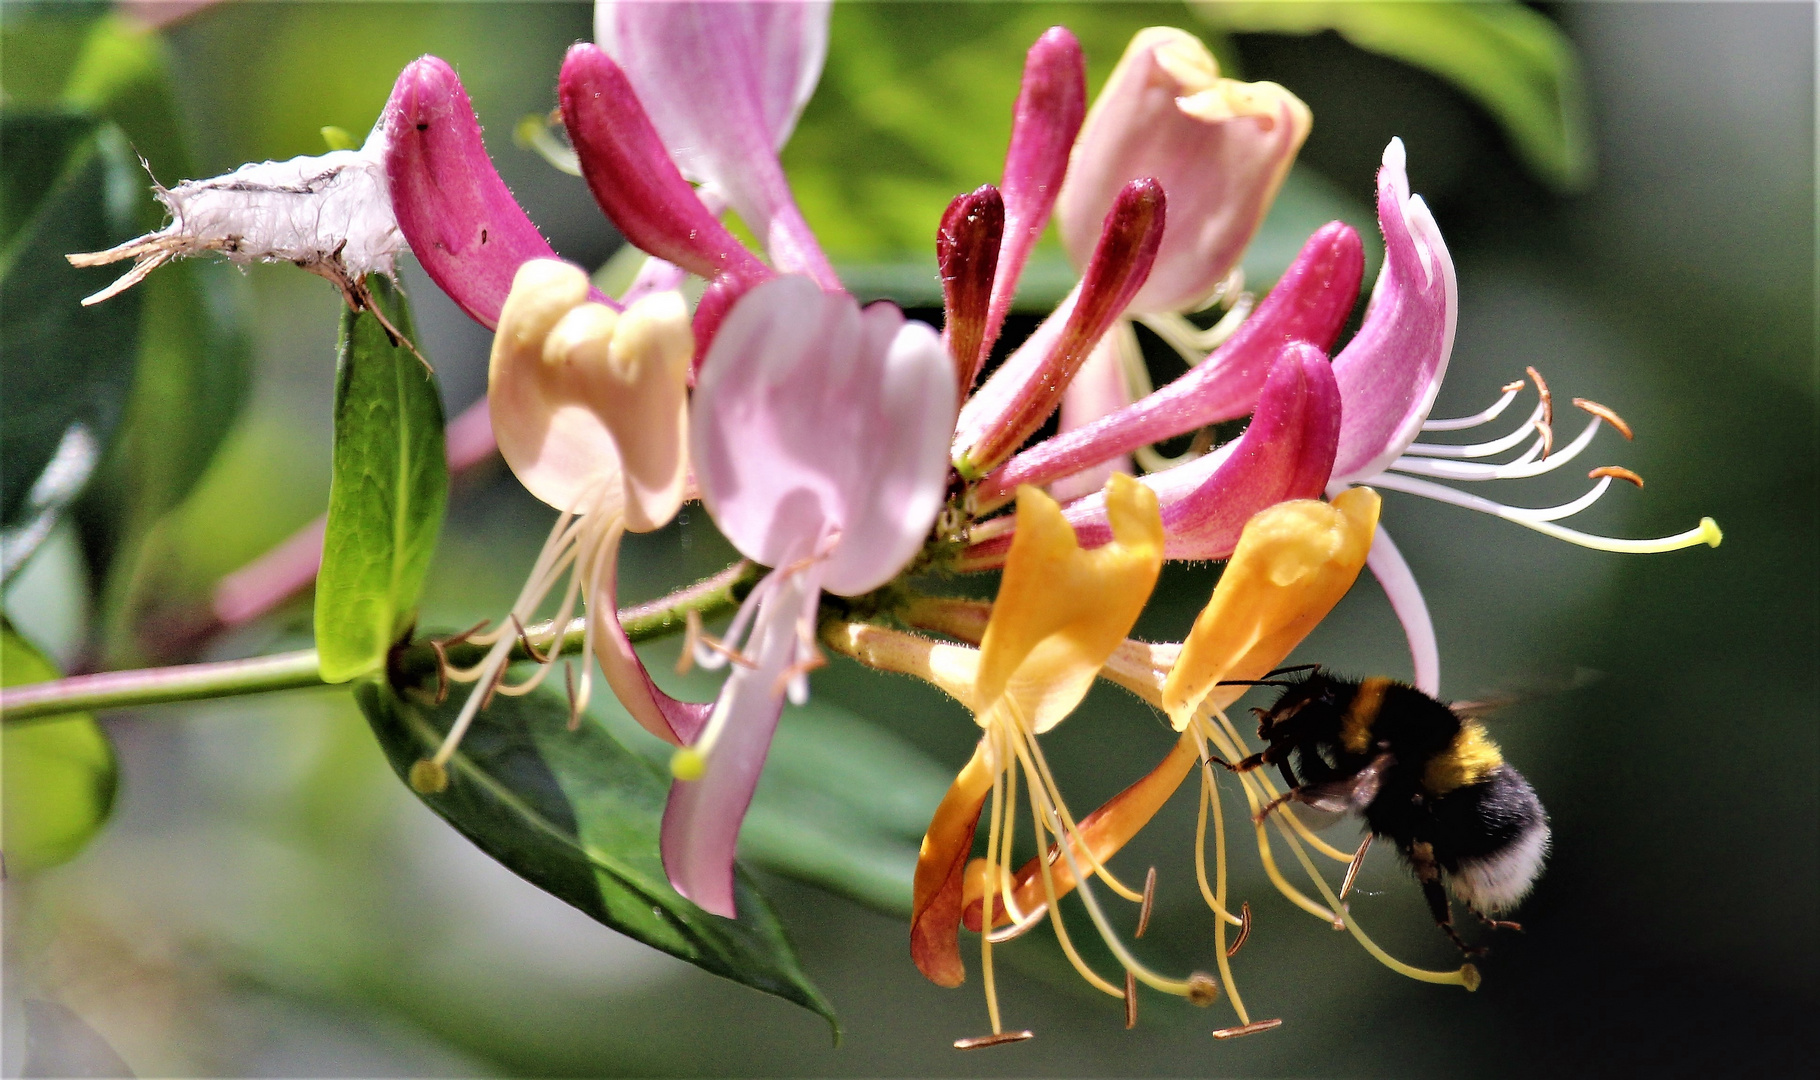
{"x": 1422, "y": 775}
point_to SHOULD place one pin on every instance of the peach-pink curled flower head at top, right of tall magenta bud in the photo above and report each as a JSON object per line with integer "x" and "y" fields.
{"x": 1218, "y": 147}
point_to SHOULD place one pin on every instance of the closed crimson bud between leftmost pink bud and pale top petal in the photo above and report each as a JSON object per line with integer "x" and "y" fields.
{"x": 632, "y": 176}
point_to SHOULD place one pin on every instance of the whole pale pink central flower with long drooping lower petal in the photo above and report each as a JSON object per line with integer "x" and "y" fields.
{"x": 793, "y": 372}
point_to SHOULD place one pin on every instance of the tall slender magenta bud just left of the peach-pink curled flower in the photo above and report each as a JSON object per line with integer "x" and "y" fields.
{"x": 1046, "y": 121}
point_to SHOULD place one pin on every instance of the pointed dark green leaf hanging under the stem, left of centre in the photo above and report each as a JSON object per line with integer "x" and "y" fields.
{"x": 578, "y": 815}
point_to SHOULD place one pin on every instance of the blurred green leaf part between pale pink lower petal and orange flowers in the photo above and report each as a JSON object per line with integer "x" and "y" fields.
{"x": 844, "y": 806}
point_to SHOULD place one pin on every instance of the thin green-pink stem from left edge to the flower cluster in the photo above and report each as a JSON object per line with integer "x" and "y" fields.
{"x": 296, "y": 671}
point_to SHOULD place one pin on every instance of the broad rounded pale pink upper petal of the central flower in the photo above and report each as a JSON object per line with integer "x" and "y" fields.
{"x": 822, "y": 429}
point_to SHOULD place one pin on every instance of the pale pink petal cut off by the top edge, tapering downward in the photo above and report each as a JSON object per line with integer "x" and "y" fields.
{"x": 723, "y": 87}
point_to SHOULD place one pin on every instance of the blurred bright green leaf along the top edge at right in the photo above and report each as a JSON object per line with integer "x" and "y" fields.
{"x": 1508, "y": 57}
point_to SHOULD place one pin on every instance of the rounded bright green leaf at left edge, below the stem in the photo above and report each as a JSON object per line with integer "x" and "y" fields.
{"x": 59, "y": 777}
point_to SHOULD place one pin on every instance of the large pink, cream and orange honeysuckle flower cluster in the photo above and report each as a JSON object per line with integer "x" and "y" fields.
{"x": 858, "y": 454}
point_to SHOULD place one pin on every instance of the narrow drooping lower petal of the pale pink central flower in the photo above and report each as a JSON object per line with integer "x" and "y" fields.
{"x": 703, "y": 817}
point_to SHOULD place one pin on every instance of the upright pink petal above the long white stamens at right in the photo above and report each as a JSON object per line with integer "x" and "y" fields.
{"x": 1393, "y": 369}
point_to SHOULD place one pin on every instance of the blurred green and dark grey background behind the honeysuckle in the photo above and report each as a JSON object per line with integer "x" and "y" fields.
{"x": 268, "y": 901}
